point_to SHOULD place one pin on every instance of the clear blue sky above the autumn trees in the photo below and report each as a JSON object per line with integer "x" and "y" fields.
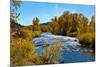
{"x": 46, "y": 11}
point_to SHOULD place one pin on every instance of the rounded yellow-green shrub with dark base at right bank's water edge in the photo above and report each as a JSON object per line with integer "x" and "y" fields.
{"x": 87, "y": 39}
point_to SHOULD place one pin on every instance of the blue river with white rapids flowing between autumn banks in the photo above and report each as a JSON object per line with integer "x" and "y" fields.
{"x": 70, "y": 51}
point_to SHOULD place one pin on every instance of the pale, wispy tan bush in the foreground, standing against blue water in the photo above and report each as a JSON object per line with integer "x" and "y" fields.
{"x": 51, "y": 54}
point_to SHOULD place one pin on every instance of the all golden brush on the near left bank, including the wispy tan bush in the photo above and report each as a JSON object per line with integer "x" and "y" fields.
{"x": 22, "y": 50}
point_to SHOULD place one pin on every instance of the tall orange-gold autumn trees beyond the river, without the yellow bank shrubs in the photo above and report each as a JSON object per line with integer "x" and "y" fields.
{"x": 70, "y": 24}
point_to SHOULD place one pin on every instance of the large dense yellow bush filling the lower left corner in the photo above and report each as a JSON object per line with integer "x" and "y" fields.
{"x": 22, "y": 52}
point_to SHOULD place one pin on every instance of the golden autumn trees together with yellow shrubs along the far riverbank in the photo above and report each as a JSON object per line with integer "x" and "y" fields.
{"x": 70, "y": 24}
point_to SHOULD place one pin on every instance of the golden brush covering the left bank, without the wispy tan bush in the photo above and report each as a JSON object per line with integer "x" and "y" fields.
{"x": 22, "y": 48}
